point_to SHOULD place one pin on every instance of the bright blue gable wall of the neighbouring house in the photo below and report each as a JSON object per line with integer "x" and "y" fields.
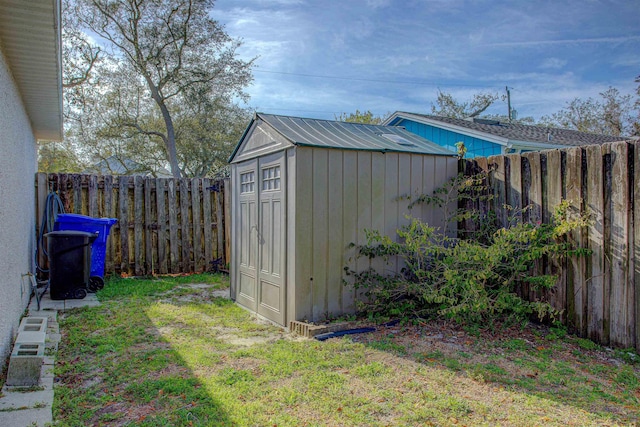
{"x": 476, "y": 147}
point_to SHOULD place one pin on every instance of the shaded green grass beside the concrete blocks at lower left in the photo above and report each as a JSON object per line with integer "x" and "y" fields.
{"x": 114, "y": 367}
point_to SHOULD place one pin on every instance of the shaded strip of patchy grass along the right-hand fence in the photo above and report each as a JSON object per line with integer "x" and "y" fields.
{"x": 559, "y": 370}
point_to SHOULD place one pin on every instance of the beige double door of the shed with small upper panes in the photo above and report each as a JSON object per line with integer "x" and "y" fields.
{"x": 261, "y": 235}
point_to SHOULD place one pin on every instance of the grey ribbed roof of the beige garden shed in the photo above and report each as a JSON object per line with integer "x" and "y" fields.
{"x": 347, "y": 136}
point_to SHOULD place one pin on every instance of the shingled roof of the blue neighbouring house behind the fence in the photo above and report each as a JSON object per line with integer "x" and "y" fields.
{"x": 507, "y": 134}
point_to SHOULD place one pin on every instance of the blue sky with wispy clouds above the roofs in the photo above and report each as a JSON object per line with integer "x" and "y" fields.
{"x": 320, "y": 58}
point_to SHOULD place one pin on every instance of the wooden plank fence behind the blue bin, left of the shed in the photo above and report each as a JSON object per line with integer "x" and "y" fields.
{"x": 165, "y": 225}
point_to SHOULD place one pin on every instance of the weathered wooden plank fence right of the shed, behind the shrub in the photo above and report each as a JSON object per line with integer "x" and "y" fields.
{"x": 599, "y": 293}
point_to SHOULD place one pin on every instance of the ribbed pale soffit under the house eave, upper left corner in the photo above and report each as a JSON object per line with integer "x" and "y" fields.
{"x": 30, "y": 40}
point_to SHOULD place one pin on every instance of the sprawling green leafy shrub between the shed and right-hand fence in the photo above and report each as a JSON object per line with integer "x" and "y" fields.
{"x": 471, "y": 280}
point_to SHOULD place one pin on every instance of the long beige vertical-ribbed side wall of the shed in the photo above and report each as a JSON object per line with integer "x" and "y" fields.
{"x": 339, "y": 194}
